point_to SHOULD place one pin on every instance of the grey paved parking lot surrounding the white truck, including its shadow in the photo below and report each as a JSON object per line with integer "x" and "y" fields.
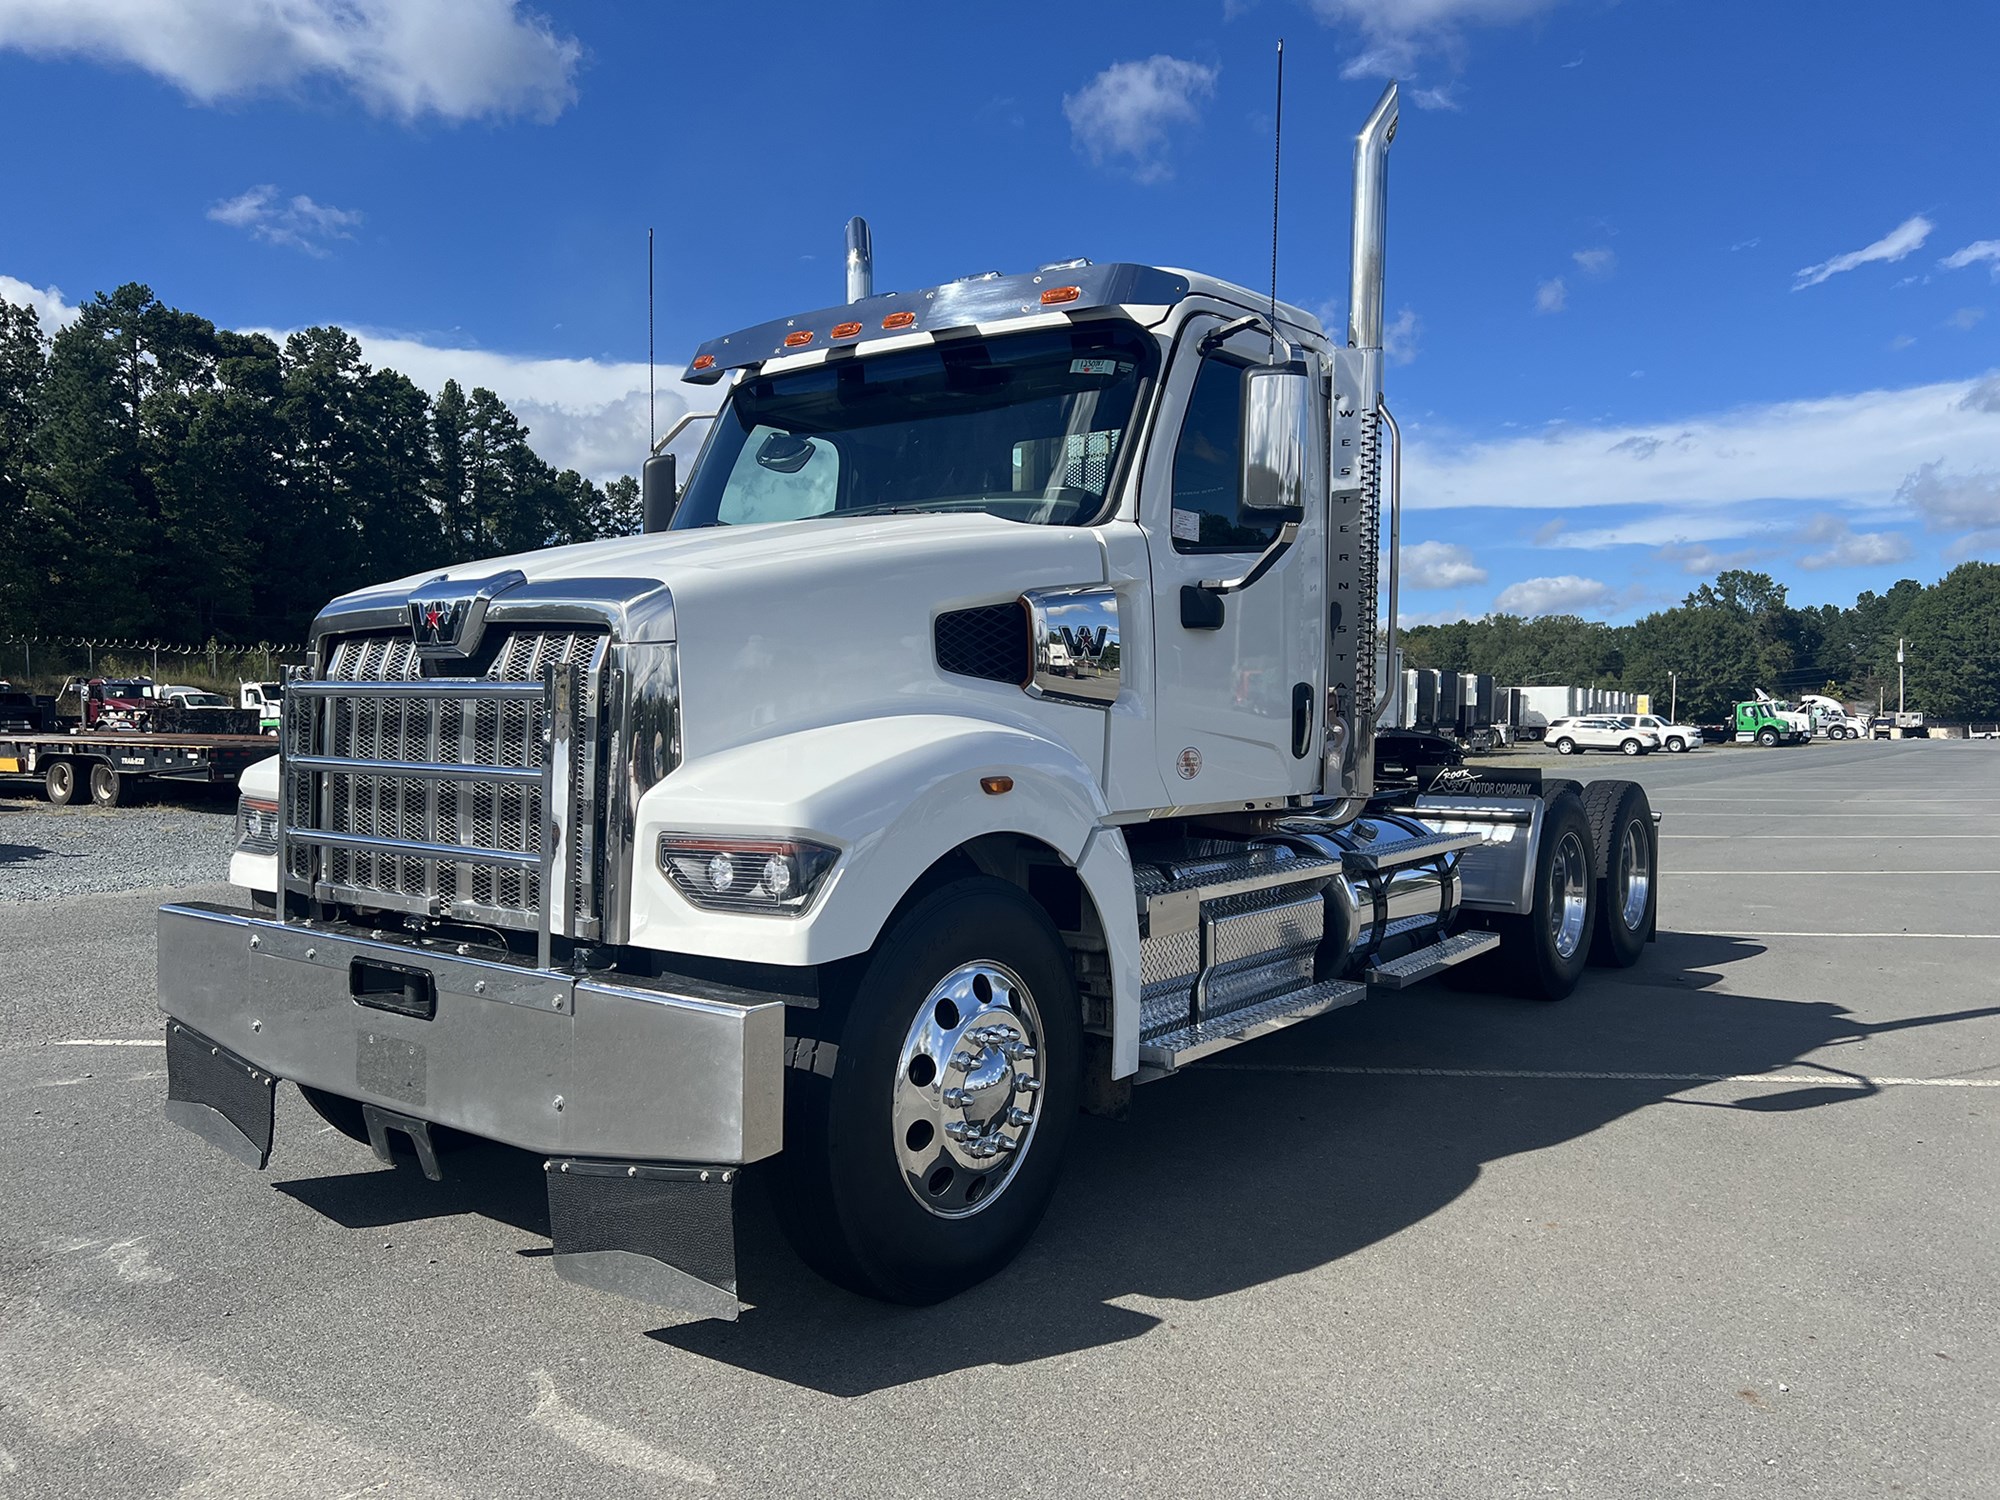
{"x": 1723, "y": 1223}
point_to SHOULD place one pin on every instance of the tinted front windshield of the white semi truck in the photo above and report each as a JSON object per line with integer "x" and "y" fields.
{"x": 1027, "y": 427}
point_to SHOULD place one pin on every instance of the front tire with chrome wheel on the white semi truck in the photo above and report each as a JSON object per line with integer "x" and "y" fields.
{"x": 925, "y": 1159}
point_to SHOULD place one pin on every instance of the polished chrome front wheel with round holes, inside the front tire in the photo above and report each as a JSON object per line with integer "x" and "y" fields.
{"x": 969, "y": 1089}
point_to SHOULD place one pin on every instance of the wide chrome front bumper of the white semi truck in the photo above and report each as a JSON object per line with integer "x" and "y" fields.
{"x": 537, "y": 1059}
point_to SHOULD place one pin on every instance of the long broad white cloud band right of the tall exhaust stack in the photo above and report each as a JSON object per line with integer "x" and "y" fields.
{"x": 1831, "y": 451}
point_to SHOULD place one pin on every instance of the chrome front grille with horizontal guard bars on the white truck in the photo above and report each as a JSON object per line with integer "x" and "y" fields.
{"x": 433, "y": 795}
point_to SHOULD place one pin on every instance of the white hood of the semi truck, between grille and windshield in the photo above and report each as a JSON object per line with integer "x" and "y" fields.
{"x": 795, "y": 625}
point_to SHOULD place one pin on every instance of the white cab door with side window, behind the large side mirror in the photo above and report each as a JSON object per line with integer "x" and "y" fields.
{"x": 1239, "y": 677}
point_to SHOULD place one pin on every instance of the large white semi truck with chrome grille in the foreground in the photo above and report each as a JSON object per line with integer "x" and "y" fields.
{"x": 991, "y": 731}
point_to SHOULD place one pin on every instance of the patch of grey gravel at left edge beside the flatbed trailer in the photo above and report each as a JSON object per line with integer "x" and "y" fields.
{"x": 177, "y": 837}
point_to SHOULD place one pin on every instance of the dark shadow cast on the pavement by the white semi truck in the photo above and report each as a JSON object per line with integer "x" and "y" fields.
{"x": 1265, "y": 1163}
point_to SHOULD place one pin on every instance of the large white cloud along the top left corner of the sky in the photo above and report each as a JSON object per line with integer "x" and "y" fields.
{"x": 403, "y": 59}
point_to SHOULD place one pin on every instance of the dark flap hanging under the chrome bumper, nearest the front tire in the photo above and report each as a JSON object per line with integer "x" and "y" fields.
{"x": 663, "y": 1235}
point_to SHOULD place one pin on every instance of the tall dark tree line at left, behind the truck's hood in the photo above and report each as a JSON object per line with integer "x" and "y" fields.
{"x": 169, "y": 479}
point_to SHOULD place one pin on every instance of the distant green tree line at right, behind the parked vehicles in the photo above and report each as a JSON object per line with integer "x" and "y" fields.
{"x": 1737, "y": 635}
